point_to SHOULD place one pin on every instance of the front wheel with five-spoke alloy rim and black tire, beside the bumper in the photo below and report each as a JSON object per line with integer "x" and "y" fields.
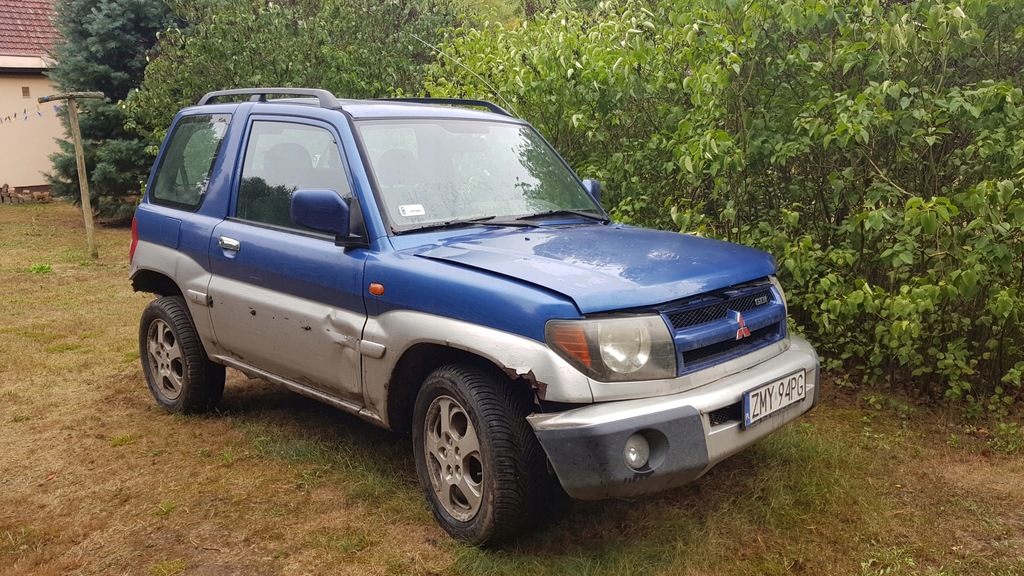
{"x": 480, "y": 465}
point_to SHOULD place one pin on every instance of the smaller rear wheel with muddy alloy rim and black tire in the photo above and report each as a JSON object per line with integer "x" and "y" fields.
{"x": 182, "y": 378}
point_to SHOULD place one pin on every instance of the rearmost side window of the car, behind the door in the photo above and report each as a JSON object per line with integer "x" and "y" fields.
{"x": 185, "y": 172}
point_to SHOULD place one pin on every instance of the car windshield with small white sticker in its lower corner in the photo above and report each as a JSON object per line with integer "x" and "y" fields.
{"x": 438, "y": 172}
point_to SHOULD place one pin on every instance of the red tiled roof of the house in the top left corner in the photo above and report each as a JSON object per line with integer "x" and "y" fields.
{"x": 26, "y": 27}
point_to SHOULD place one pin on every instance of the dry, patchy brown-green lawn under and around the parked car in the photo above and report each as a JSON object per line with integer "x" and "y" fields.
{"x": 95, "y": 479}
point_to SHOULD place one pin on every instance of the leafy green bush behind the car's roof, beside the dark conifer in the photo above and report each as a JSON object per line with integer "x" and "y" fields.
{"x": 352, "y": 48}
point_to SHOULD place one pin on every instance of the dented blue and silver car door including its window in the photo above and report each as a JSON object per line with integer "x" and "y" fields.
{"x": 285, "y": 300}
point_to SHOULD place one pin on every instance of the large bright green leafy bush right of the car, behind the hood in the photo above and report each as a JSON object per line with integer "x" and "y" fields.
{"x": 876, "y": 148}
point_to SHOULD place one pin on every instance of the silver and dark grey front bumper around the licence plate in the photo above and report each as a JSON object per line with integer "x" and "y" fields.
{"x": 585, "y": 445}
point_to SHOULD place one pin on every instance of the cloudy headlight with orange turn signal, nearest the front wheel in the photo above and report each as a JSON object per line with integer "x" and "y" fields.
{"x": 638, "y": 348}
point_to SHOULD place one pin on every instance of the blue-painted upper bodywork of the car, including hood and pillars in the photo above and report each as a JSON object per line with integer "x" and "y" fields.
{"x": 511, "y": 279}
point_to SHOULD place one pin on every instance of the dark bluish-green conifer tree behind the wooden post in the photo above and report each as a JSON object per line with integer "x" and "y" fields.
{"x": 105, "y": 49}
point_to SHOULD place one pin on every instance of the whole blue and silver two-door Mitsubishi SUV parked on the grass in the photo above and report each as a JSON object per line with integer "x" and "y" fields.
{"x": 436, "y": 268}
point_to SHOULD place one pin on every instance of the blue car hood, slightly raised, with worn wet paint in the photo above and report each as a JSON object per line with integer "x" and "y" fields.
{"x": 605, "y": 268}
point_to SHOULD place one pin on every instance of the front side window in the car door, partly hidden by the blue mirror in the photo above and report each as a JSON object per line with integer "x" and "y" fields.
{"x": 283, "y": 157}
